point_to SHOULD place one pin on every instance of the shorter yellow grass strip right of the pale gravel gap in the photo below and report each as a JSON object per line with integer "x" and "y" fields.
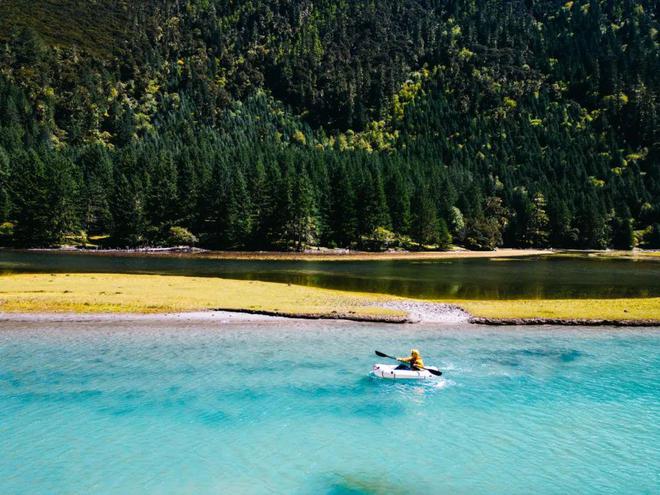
{"x": 589, "y": 309}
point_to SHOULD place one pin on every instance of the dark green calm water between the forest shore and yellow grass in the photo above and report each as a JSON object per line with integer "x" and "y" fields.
{"x": 538, "y": 277}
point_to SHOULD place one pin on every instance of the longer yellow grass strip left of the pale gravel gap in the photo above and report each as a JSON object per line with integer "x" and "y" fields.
{"x": 88, "y": 293}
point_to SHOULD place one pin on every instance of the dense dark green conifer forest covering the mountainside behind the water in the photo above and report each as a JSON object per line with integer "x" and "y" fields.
{"x": 364, "y": 124}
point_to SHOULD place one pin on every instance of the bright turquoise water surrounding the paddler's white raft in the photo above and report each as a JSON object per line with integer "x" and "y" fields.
{"x": 176, "y": 407}
